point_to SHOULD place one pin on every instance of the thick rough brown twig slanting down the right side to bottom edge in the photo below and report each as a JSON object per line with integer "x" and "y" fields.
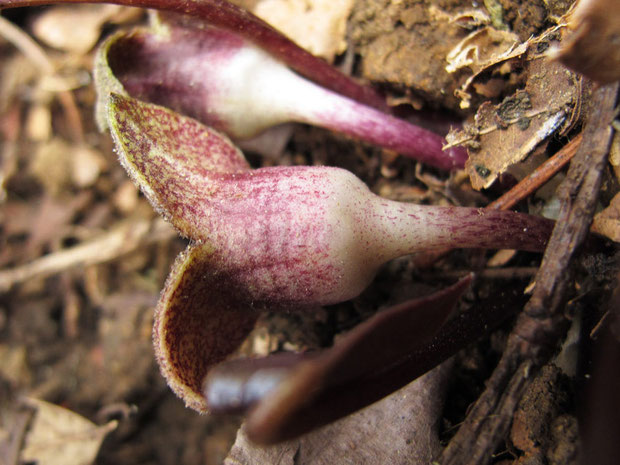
{"x": 542, "y": 323}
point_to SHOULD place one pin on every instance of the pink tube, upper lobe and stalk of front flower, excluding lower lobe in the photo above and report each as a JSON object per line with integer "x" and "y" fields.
{"x": 295, "y": 235}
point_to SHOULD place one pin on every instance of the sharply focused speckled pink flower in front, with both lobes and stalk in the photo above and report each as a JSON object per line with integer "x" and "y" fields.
{"x": 281, "y": 237}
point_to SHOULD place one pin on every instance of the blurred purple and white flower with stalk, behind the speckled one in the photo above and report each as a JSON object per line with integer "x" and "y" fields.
{"x": 219, "y": 78}
